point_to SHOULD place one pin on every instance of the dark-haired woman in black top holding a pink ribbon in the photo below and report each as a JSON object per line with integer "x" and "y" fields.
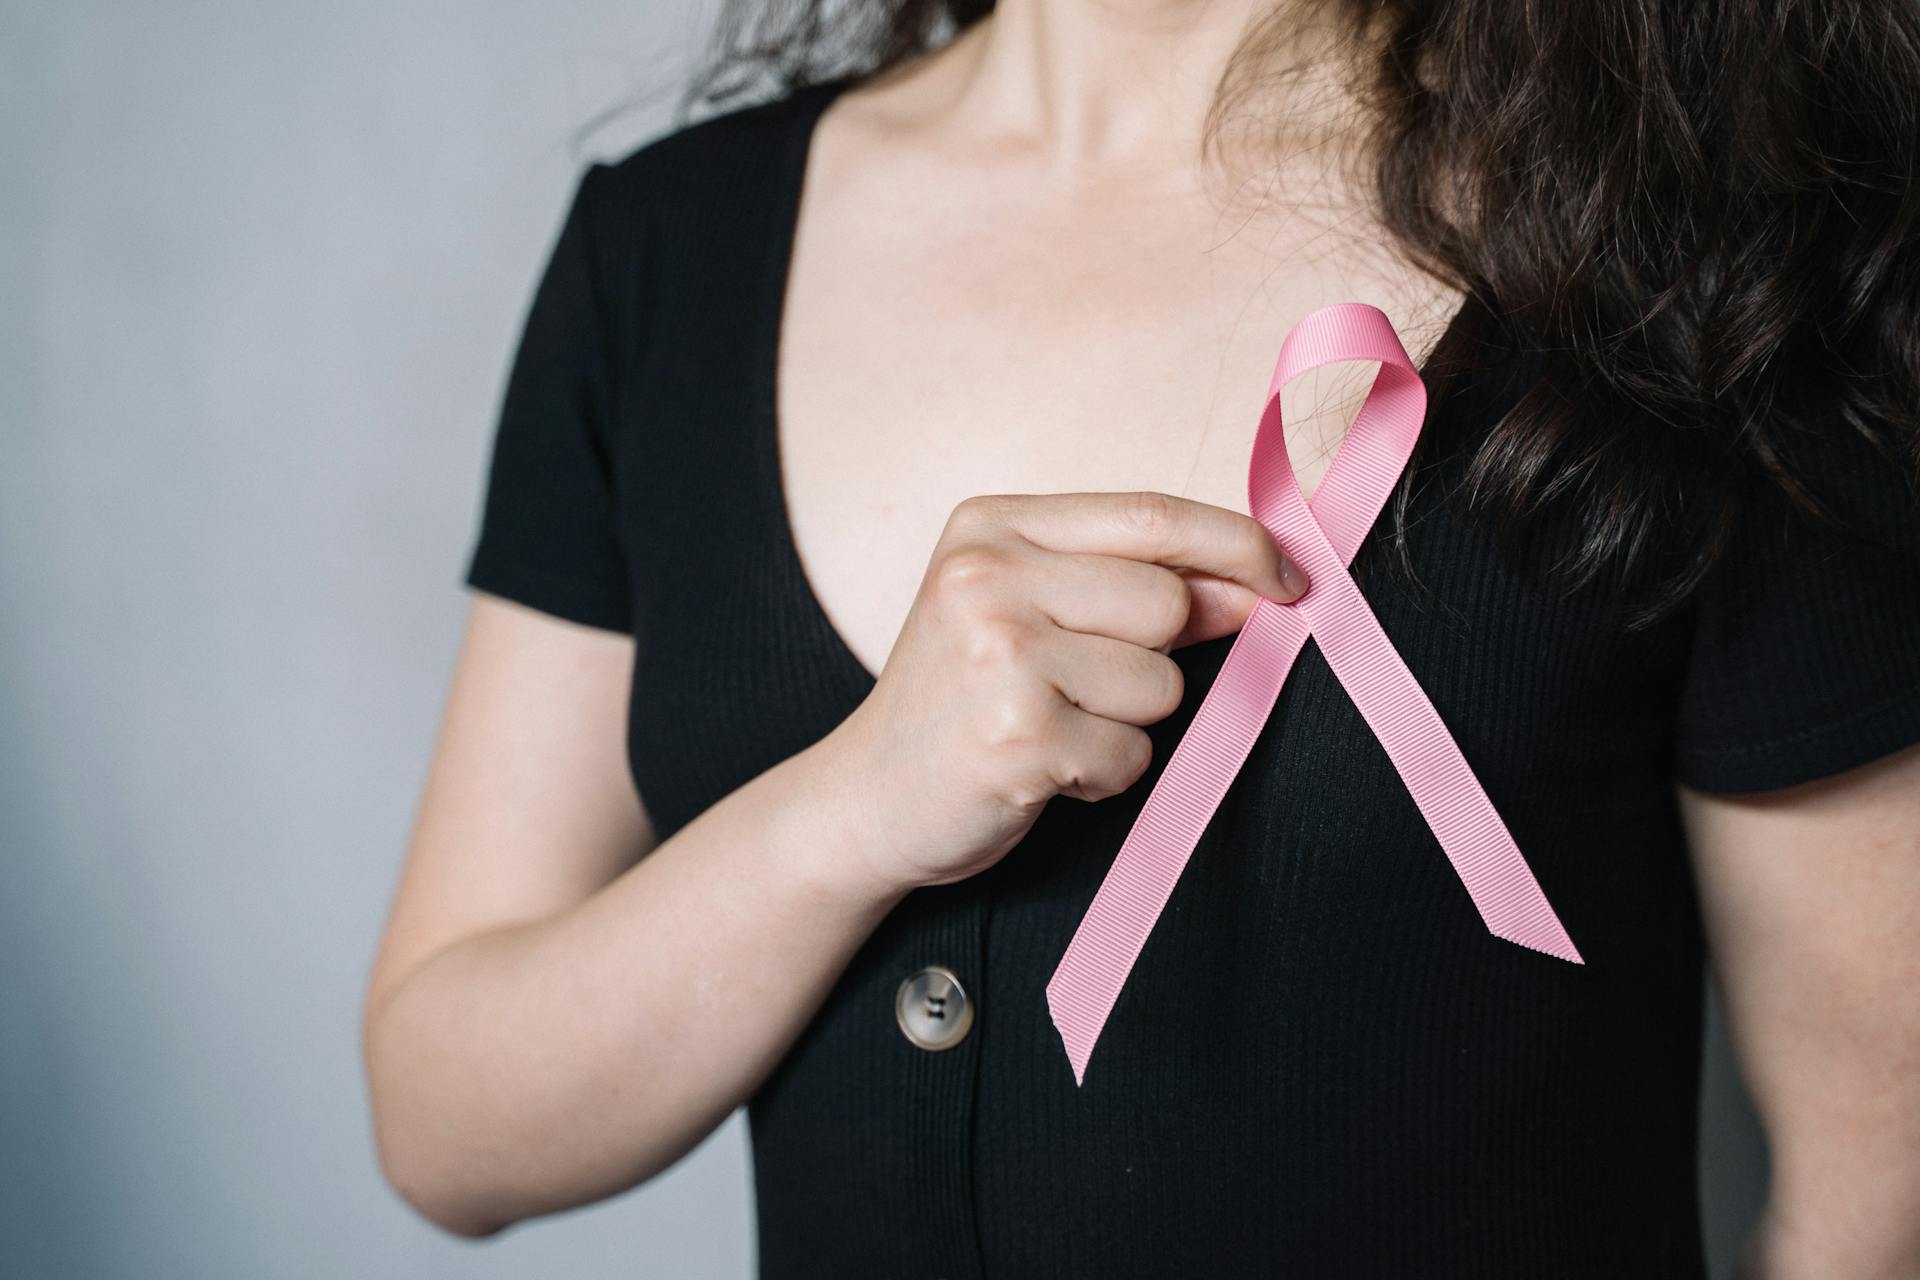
{"x": 896, "y": 644}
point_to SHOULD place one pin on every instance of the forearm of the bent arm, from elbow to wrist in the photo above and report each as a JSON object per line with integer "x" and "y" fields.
{"x": 556, "y": 1064}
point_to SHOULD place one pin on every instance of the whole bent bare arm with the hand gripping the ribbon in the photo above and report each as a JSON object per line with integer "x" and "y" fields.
{"x": 558, "y": 1014}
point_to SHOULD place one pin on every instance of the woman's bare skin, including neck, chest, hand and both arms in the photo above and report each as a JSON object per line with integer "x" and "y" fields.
{"x": 564, "y": 1005}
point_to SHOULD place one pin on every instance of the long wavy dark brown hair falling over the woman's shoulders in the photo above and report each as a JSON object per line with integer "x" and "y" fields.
{"x": 1681, "y": 204}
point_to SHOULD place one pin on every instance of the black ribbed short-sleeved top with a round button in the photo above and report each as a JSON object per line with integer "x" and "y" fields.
{"x": 1322, "y": 1062}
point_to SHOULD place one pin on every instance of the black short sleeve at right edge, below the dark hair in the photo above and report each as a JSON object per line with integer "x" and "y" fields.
{"x": 1806, "y": 655}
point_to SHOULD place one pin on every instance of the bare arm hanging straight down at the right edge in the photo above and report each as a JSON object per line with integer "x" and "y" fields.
{"x": 1812, "y": 903}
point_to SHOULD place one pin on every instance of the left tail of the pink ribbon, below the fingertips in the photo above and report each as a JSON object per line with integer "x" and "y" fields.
{"x": 1203, "y": 767}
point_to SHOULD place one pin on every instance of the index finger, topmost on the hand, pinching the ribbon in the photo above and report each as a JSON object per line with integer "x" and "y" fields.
{"x": 1151, "y": 527}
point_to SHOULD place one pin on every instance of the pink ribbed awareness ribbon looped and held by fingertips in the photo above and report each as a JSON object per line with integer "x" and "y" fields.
{"x": 1324, "y": 538}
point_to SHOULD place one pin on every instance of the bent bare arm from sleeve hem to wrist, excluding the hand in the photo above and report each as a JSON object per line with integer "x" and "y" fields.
{"x": 556, "y": 1016}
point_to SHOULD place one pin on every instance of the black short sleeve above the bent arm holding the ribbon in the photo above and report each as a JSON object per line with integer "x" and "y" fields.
{"x": 548, "y": 527}
